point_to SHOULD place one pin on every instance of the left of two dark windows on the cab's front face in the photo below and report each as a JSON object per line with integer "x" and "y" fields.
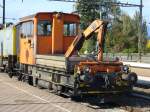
{"x": 44, "y": 28}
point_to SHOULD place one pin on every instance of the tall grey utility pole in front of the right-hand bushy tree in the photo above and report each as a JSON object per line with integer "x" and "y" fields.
{"x": 140, "y": 31}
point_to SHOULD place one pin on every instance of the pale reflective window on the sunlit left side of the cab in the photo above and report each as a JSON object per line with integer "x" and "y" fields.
{"x": 27, "y": 29}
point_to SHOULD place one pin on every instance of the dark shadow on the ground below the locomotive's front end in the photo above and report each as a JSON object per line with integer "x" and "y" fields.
{"x": 126, "y": 102}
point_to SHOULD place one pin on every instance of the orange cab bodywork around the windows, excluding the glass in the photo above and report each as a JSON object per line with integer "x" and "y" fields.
{"x": 55, "y": 43}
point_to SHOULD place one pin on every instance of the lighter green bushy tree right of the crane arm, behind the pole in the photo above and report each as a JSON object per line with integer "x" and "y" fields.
{"x": 125, "y": 33}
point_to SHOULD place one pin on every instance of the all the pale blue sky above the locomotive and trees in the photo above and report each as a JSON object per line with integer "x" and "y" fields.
{"x": 17, "y": 9}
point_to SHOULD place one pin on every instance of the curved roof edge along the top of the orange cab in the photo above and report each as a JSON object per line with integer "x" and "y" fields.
{"x": 31, "y": 17}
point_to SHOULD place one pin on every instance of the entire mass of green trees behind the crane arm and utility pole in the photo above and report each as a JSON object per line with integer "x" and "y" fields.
{"x": 123, "y": 33}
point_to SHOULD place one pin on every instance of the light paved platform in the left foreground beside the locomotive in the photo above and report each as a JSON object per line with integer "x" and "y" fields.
{"x": 16, "y": 96}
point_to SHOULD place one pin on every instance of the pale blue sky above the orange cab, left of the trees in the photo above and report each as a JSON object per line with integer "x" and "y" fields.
{"x": 17, "y": 9}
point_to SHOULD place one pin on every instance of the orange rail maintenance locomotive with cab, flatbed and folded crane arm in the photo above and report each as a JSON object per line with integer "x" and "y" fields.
{"x": 47, "y": 57}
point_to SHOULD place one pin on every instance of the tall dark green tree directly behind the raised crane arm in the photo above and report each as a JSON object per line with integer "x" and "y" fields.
{"x": 89, "y": 11}
